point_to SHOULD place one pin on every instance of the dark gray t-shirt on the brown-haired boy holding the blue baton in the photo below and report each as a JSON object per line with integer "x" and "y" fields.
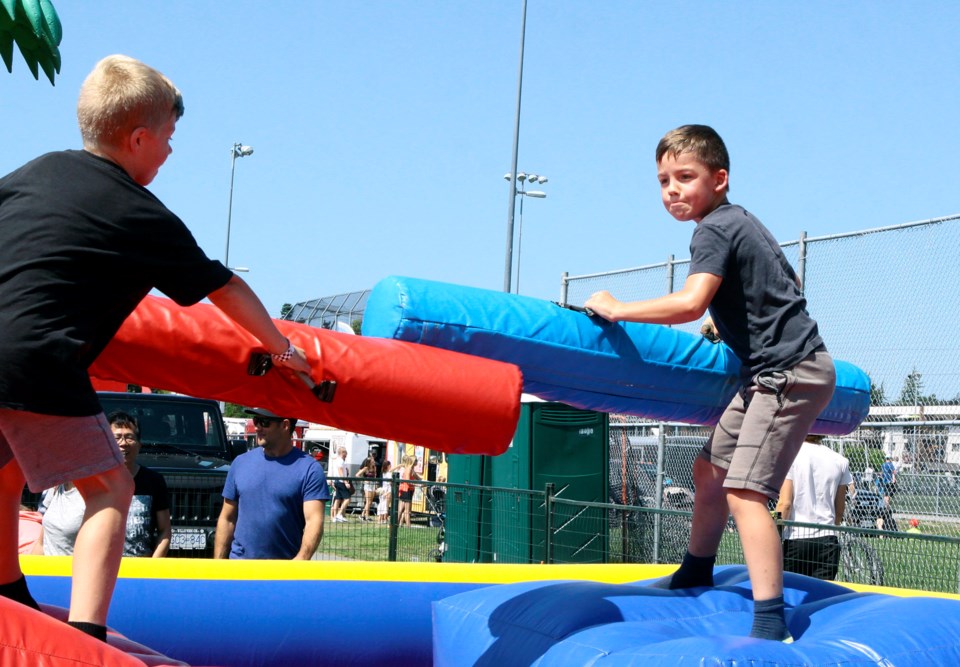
{"x": 758, "y": 309}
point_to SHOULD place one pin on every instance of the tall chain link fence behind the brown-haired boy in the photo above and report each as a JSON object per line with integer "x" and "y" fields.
{"x": 884, "y": 301}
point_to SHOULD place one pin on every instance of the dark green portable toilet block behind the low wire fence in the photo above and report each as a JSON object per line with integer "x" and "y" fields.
{"x": 554, "y": 444}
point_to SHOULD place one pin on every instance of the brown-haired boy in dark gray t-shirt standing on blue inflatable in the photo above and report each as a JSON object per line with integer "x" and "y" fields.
{"x": 738, "y": 270}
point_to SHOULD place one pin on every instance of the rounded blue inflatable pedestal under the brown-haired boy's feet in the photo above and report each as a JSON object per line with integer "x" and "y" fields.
{"x": 578, "y": 623}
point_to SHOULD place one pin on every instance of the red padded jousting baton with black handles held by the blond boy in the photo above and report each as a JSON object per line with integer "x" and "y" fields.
{"x": 411, "y": 393}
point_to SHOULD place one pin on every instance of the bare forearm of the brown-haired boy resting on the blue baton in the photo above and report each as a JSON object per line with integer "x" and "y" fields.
{"x": 686, "y": 305}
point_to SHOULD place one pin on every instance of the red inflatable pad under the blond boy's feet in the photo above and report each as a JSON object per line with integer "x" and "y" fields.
{"x": 38, "y": 639}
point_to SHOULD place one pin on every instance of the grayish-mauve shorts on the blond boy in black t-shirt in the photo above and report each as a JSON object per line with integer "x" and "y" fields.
{"x": 51, "y": 450}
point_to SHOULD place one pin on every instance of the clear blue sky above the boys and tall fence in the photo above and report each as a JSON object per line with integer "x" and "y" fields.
{"x": 382, "y": 130}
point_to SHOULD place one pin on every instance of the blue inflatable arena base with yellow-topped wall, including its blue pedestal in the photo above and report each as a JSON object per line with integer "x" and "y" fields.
{"x": 277, "y": 613}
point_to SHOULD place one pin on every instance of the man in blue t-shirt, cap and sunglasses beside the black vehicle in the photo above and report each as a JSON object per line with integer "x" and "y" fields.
{"x": 273, "y": 499}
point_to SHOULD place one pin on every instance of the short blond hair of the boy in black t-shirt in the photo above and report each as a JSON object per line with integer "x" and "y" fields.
{"x": 122, "y": 94}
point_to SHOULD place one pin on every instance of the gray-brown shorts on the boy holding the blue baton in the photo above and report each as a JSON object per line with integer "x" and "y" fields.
{"x": 761, "y": 430}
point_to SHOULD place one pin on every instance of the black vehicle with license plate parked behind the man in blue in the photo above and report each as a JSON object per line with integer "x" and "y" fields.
{"x": 184, "y": 440}
